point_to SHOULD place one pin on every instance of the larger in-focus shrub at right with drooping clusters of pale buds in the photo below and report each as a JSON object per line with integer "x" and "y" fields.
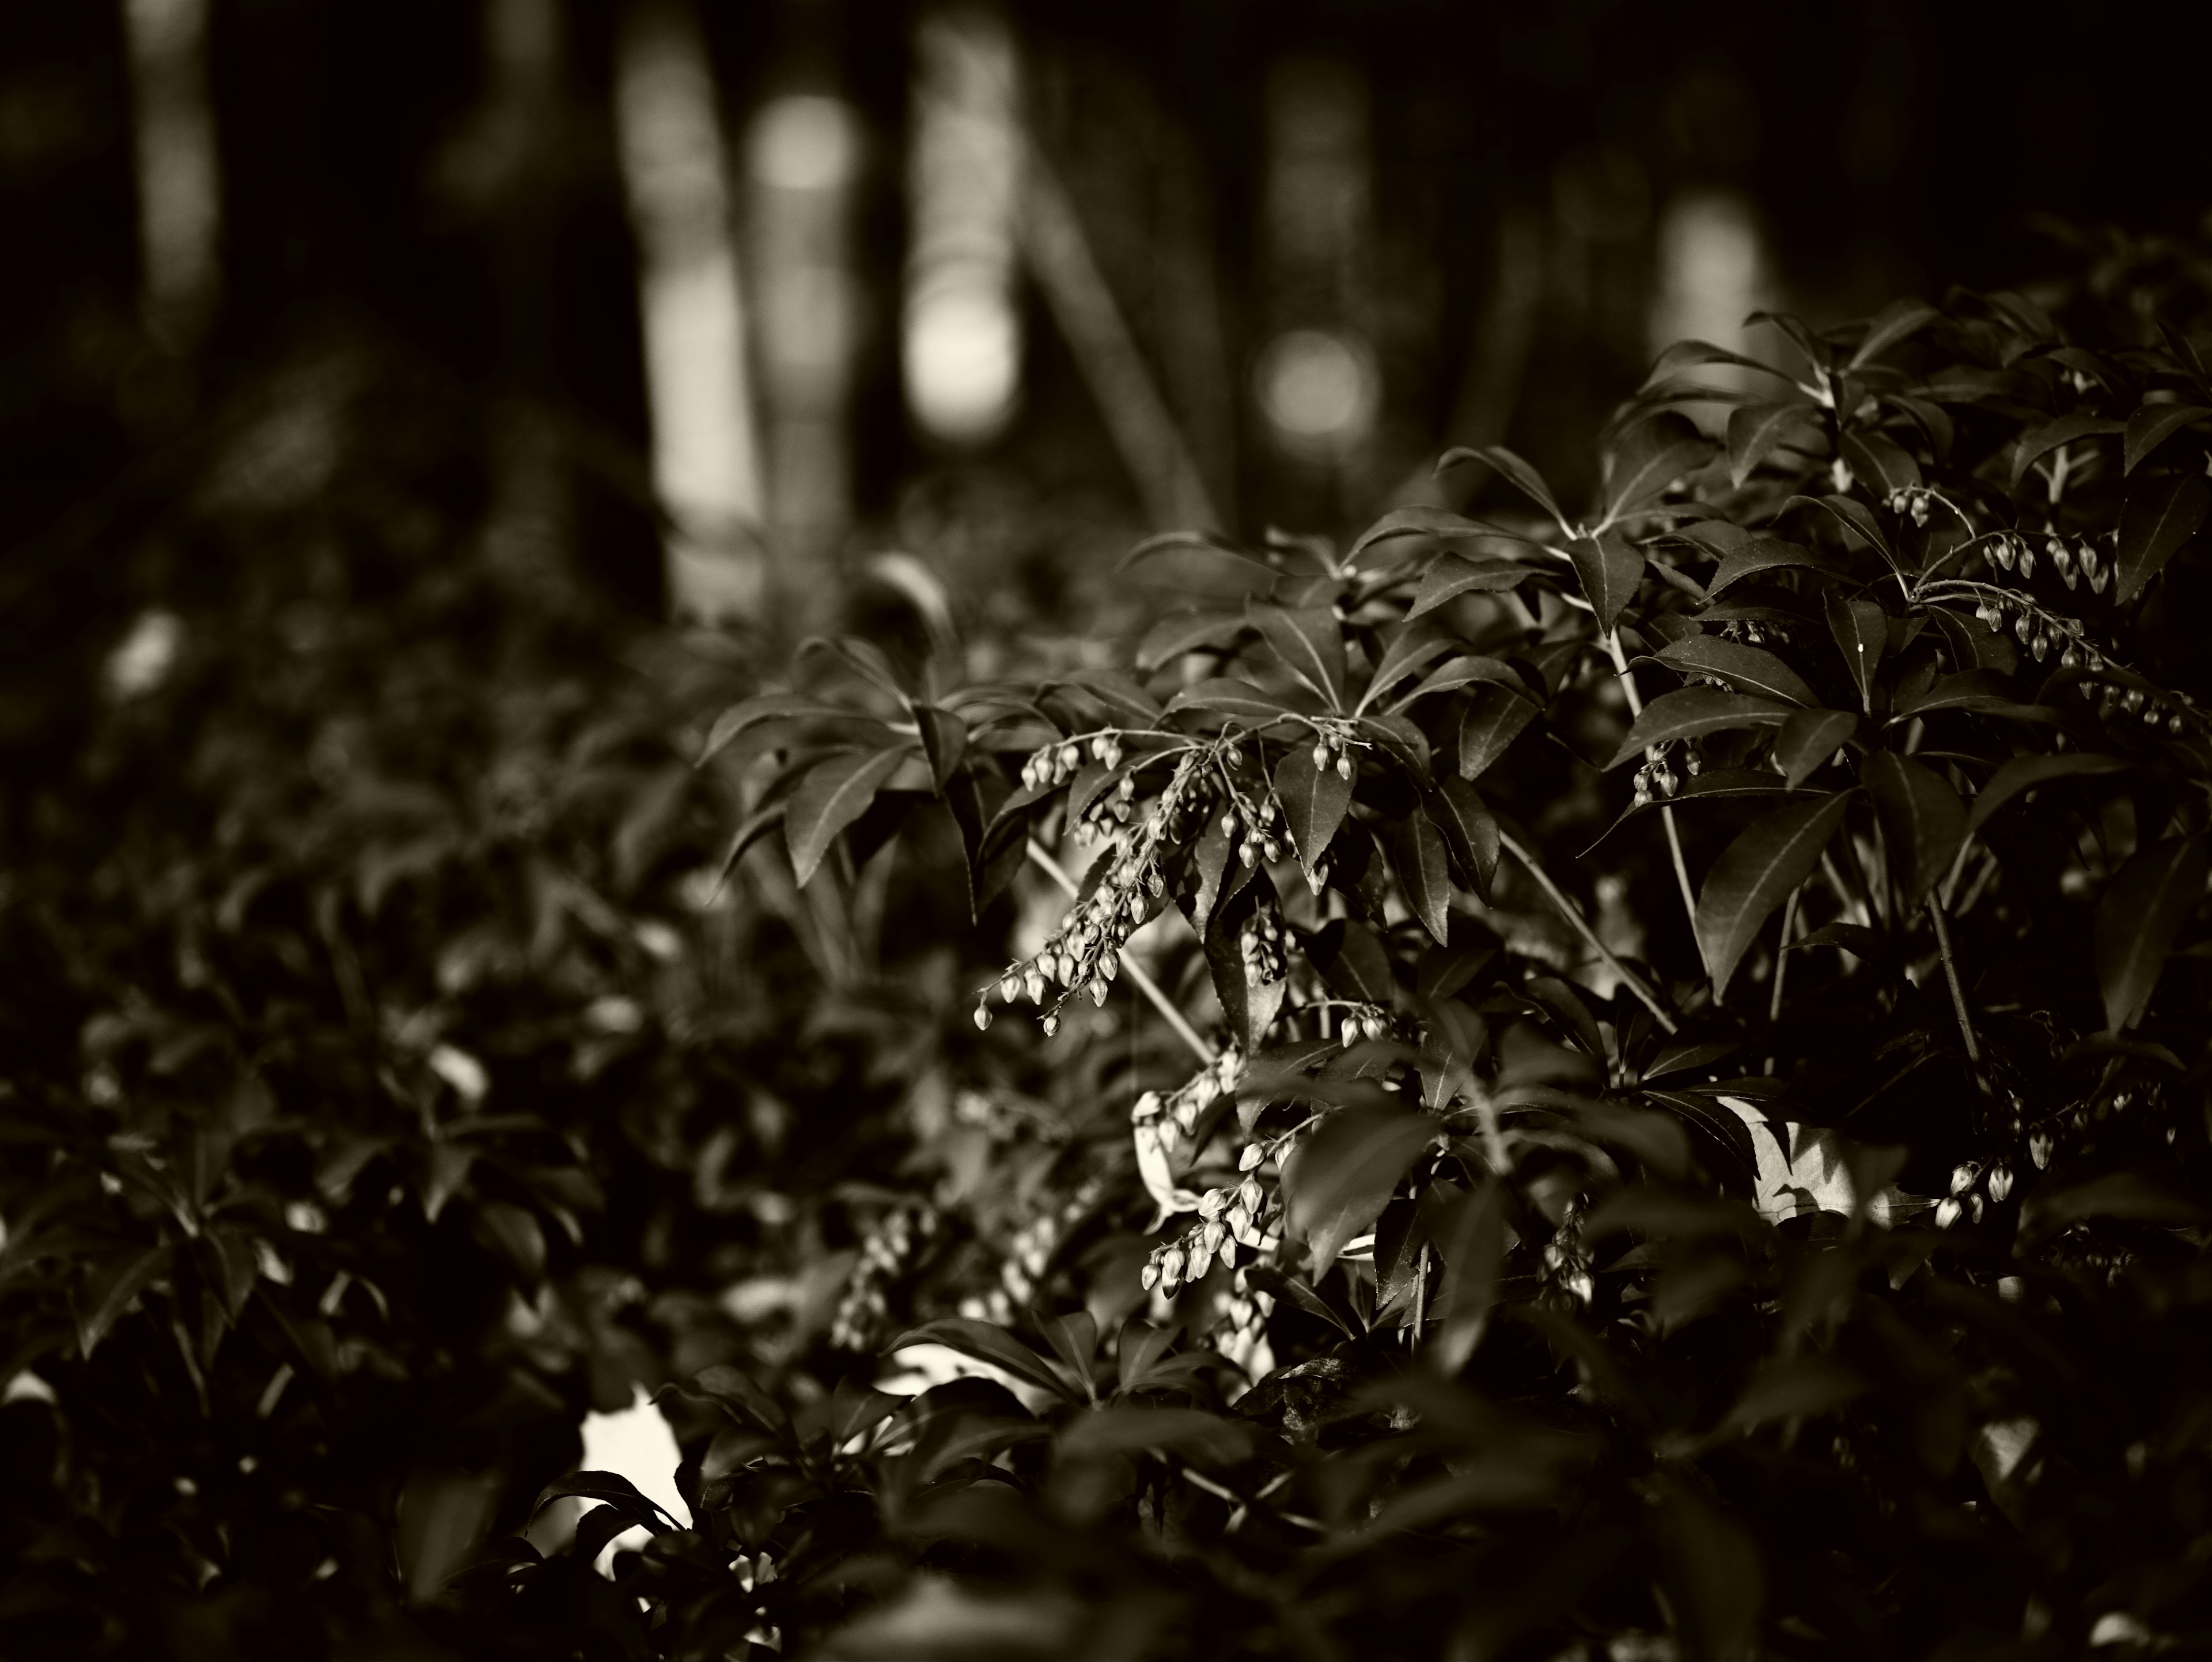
{"x": 1616, "y": 1081}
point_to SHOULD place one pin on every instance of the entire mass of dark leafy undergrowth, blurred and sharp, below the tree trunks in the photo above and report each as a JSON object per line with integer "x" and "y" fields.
{"x": 1616, "y": 1081}
